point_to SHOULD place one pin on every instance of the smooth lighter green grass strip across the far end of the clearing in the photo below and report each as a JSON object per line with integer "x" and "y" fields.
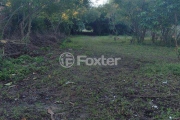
{"x": 107, "y": 45}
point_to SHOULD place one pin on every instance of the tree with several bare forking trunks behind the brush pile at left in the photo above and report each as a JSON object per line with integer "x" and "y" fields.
{"x": 22, "y": 13}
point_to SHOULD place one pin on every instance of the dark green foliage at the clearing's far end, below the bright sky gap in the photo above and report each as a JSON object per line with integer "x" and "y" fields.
{"x": 106, "y": 20}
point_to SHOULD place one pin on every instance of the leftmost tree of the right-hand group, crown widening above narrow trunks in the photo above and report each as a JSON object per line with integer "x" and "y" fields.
{"x": 133, "y": 12}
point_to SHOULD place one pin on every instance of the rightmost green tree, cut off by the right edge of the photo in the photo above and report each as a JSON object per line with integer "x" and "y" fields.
{"x": 163, "y": 17}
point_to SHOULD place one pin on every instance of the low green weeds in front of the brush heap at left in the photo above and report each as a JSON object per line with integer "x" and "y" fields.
{"x": 17, "y": 69}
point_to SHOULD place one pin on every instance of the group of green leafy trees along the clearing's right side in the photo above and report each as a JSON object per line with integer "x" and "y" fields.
{"x": 154, "y": 15}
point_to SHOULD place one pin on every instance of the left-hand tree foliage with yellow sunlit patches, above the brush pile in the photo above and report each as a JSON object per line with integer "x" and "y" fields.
{"x": 44, "y": 15}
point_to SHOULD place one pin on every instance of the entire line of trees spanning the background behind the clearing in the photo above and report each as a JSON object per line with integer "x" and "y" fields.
{"x": 159, "y": 18}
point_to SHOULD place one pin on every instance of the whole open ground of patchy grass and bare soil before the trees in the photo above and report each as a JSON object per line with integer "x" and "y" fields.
{"x": 144, "y": 85}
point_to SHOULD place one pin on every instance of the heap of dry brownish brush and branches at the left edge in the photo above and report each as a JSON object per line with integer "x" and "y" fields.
{"x": 17, "y": 48}
